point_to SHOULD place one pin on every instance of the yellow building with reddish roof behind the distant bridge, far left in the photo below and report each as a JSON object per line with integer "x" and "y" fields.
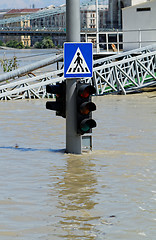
{"x": 25, "y": 39}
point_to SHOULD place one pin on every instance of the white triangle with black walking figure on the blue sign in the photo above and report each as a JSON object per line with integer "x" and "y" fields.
{"x": 78, "y": 64}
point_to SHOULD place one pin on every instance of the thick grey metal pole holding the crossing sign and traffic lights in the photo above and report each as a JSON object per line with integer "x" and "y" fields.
{"x": 73, "y": 140}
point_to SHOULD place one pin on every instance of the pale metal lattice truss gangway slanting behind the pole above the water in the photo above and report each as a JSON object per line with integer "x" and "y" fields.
{"x": 121, "y": 73}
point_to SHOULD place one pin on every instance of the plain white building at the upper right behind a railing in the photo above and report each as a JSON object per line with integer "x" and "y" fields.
{"x": 139, "y": 28}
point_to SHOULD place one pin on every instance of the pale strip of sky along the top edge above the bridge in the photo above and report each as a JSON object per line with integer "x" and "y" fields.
{"x": 28, "y": 3}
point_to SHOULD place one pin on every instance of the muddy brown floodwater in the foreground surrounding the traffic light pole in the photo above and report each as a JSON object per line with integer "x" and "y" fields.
{"x": 109, "y": 193}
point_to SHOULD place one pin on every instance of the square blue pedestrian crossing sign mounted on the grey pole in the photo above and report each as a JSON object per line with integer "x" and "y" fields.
{"x": 78, "y": 60}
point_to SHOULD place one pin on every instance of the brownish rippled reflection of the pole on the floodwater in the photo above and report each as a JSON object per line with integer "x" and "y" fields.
{"x": 77, "y": 189}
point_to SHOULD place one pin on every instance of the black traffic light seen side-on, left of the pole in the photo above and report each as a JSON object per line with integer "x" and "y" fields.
{"x": 60, "y": 104}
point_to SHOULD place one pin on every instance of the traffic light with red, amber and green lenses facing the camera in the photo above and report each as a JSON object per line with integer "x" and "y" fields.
{"x": 85, "y": 106}
